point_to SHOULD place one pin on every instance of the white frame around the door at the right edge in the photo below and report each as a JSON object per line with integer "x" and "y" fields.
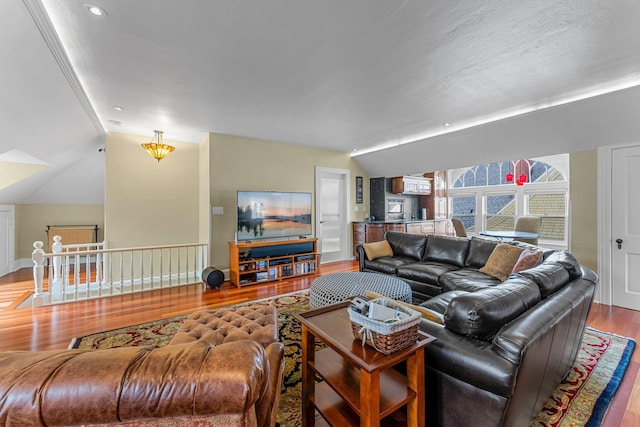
{"x": 604, "y": 291}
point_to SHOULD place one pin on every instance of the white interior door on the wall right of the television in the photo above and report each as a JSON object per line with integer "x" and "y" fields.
{"x": 331, "y": 213}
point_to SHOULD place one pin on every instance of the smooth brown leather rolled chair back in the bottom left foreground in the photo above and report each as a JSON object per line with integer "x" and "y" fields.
{"x": 197, "y": 383}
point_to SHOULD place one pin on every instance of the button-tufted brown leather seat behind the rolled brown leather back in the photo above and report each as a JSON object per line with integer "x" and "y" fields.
{"x": 257, "y": 323}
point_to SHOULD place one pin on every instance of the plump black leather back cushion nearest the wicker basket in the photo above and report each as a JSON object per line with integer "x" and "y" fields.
{"x": 481, "y": 314}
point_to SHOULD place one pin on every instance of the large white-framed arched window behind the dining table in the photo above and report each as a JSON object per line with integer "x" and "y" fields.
{"x": 490, "y": 196}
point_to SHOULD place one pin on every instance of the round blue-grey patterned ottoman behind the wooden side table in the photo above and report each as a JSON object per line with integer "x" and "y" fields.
{"x": 333, "y": 288}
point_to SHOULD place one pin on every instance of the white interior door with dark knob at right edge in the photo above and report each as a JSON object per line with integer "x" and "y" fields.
{"x": 625, "y": 228}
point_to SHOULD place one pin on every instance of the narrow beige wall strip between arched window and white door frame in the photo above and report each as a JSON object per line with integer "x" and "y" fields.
{"x": 584, "y": 207}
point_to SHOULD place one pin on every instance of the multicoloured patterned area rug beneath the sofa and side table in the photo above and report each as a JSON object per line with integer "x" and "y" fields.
{"x": 582, "y": 400}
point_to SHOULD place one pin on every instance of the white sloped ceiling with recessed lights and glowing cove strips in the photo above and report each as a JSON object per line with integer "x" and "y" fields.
{"x": 333, "y": 74}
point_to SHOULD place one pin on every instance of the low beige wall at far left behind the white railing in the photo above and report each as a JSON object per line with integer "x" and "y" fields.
{"x": 32, "y": 220}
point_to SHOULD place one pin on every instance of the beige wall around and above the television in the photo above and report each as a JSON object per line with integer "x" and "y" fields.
{"x": 248, "y": 164}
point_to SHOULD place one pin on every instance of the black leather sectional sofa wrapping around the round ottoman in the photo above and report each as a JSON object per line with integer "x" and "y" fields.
{"x": 503, "y": 346}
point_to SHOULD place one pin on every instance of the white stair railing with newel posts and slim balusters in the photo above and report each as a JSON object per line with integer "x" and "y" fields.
{"x": 109, "y": 272}
